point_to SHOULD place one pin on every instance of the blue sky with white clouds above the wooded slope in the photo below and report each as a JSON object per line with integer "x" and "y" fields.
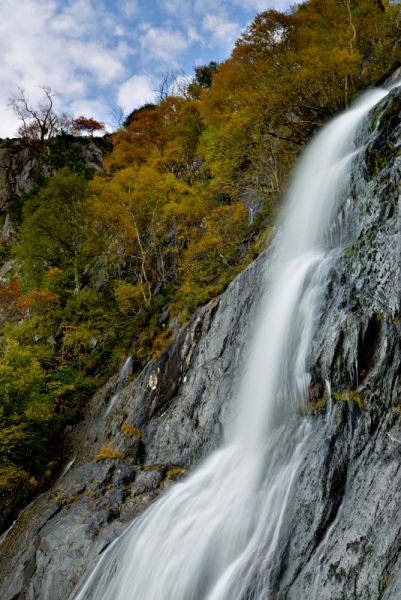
{"x": 98, "y": 55}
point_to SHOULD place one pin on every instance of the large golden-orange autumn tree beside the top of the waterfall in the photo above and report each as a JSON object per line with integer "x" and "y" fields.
{"x": 288, "y": 73}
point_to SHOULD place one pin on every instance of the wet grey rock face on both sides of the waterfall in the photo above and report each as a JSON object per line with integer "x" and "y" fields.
{"x": 341, "y": 534}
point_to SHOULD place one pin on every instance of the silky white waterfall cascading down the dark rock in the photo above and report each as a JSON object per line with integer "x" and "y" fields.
{"x": 215, "y": 535}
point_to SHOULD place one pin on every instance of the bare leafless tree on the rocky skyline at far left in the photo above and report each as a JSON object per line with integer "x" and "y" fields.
{"x": 37, "y": 122}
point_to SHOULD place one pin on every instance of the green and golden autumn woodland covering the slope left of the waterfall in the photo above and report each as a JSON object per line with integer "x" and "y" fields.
{"x": 109, "y": 264}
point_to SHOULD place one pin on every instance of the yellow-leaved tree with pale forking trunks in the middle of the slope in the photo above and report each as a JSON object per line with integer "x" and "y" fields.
{"x": 143, "y": 217}
